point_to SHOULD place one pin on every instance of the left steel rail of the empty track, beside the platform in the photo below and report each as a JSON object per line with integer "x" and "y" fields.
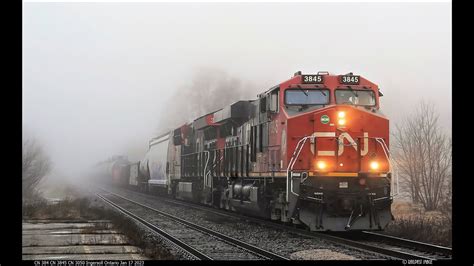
{"x": 195, "y": 253}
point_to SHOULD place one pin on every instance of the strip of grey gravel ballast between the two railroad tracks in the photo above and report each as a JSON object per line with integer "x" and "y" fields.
{"x": 282, "y": 242}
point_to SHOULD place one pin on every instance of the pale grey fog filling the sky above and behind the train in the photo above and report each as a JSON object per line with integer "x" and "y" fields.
{"x": 103, "y": 78}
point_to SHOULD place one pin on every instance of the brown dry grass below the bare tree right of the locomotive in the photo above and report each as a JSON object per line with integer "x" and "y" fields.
{"x": 412, "y": 222}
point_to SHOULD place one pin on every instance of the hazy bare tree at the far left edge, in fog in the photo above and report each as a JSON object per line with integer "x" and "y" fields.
{"x": 36, "y": 165}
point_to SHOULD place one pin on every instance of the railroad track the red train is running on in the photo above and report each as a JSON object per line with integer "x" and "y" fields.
{"x": 392, "y": 247}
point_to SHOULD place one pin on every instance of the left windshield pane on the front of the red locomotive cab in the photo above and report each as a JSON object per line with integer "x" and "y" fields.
{"x": 306, "y": 97}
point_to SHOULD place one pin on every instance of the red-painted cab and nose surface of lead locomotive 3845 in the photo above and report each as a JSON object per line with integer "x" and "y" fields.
{"x": 361, "y": 126}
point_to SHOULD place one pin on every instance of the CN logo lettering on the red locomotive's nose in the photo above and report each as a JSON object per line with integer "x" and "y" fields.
{"x": 344, "y": 137}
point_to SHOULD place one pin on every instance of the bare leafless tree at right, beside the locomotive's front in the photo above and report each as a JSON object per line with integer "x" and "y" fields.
{"x": 422, "y": 153}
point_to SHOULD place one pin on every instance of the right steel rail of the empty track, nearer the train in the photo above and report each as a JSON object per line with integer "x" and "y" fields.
{"x": 238, "y": 243}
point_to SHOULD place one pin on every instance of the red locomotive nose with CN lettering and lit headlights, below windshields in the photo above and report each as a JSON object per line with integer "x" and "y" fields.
{"x": 347, "y": 141}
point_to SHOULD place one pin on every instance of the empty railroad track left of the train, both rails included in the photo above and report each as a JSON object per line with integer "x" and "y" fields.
{"x": 198, "y": 241}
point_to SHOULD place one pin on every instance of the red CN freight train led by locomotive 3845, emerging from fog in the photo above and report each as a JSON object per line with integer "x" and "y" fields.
{"x": 311, "y": 150}
